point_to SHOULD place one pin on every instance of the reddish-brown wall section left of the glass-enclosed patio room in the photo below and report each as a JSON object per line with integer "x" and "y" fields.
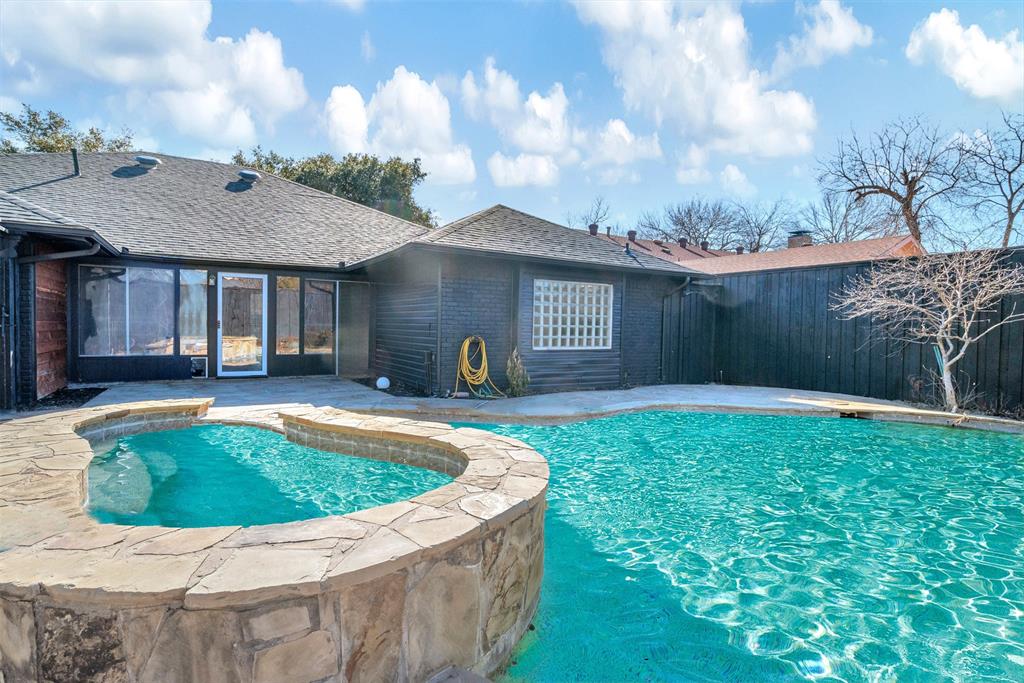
{"x": 52, "y": 327}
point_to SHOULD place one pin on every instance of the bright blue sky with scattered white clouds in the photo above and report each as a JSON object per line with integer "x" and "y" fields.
{"x": 539, "y": 106}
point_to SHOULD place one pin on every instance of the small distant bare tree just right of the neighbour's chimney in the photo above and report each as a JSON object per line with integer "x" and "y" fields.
{"x": 840, "y": 218}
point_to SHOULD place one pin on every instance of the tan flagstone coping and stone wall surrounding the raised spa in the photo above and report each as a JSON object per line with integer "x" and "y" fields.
{"x": 398, "y": 592}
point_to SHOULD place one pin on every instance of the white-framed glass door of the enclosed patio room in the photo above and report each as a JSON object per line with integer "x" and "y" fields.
{"x": 241, "y": 325}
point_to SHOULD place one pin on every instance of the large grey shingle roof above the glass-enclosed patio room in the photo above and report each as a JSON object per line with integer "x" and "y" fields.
{"x": 193, "y": 209}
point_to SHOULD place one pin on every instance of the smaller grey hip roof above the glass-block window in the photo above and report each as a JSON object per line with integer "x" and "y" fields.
{"x": 504, "y": 231}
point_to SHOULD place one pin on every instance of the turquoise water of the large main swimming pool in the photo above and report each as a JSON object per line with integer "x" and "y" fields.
{"x": 693, "y": 547}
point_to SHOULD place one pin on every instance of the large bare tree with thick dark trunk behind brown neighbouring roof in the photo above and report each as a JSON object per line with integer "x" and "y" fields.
{"x": 909, "y": 166}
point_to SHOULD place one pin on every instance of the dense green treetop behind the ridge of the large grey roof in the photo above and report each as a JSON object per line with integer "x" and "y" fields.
{"x": 387, "y": 186}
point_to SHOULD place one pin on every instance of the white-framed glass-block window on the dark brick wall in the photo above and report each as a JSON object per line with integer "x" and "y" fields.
{"x": 572, "y": 316}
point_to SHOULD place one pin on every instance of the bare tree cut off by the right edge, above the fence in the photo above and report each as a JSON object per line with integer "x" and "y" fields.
{"x": 995, "y": 187}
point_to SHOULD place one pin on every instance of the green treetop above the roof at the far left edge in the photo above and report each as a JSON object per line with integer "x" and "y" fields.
{"x": 53, "y": 133}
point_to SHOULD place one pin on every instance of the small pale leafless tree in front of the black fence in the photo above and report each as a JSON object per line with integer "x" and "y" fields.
{"x": 948, "y": 301}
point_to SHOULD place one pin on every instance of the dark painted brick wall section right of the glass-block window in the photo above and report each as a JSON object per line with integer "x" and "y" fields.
{"x": 643, "y": 313}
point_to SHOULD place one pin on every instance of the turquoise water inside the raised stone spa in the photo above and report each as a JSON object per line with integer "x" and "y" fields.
{"x": 214, "y": 476}
